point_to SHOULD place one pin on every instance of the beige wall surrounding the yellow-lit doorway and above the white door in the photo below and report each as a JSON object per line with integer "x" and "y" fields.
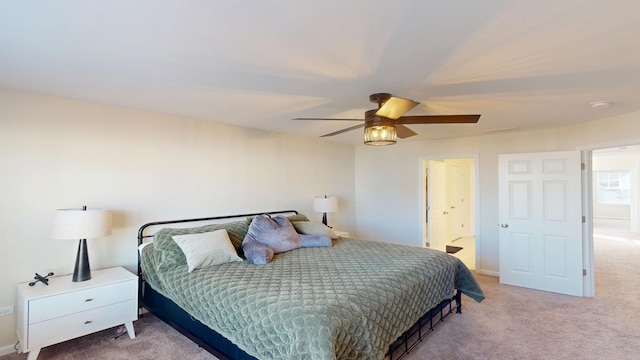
{"x": 393, "y": 174}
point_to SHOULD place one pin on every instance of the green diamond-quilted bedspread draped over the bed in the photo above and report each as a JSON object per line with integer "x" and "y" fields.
{"x": 349, "y": 301}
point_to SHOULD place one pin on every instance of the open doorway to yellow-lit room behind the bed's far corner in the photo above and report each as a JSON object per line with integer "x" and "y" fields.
{"x": 449, "y": 202}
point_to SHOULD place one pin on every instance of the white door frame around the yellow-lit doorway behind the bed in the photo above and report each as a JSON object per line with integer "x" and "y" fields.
{"x": 476, "y": 198}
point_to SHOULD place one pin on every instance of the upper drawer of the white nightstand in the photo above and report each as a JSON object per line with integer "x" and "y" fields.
{"x": 52, "y": 307}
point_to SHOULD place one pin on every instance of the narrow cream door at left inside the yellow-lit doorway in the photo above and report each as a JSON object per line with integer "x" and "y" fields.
{"x": 437, "y": 205}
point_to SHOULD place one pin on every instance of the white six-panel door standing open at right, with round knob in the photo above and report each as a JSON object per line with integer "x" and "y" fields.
{"x": 541, "y": 221}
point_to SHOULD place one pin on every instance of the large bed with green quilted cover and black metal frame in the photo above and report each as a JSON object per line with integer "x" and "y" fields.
{"x": 356, "y": 299}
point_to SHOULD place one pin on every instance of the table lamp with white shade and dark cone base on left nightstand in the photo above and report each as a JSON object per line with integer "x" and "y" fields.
{"x": 81, "y": 224}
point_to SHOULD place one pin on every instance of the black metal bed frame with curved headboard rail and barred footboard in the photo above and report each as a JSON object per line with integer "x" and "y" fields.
{"x": 401, "y": 347}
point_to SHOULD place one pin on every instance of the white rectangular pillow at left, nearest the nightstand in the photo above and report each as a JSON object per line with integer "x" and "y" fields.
{"x": 207, "y": 249}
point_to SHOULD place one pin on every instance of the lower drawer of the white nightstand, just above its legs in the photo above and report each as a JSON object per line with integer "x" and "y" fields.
{"x": 80, "y": 323}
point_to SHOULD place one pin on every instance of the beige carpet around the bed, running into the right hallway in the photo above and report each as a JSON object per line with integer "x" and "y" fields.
{"x": 512, "y": 323}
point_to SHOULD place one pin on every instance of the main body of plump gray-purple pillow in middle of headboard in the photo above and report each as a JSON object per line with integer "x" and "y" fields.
{"x": 275, "y": 232}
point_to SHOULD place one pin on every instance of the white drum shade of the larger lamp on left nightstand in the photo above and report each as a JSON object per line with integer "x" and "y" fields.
{"x": 81, "y": 224}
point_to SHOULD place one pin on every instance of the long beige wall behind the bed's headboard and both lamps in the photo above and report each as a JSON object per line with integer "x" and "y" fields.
{"x": 58, "y": 153}
